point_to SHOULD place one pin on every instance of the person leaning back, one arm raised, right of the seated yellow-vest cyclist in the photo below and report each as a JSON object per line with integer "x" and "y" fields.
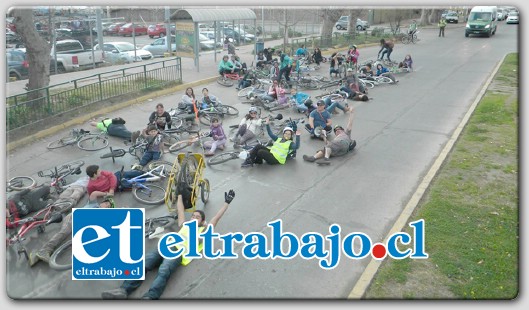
{"x": 339, "y": 146}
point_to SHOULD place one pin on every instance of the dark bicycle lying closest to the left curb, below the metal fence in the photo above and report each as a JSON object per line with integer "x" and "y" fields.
{"x": 84, "y": 139}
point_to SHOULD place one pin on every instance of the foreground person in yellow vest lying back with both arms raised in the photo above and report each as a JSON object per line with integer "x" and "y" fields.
{"x": 166, "y": 267}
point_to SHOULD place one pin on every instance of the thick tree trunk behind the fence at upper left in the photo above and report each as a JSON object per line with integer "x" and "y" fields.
{"x": 37, "y": 50}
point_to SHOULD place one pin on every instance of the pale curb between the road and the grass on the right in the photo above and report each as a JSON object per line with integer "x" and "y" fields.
{"x": 371, "y": 270}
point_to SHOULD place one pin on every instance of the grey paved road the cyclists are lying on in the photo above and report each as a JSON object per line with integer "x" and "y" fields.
{"x": 399, "y": 135}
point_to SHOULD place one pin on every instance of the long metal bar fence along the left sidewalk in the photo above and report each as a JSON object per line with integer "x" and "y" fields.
{"x": 40, "y": 104}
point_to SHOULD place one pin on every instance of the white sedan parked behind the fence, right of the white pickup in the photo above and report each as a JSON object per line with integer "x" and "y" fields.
{"x": 123, "y": 52}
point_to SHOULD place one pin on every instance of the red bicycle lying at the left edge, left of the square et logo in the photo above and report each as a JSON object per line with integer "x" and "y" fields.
{"x": 52, "y": 213}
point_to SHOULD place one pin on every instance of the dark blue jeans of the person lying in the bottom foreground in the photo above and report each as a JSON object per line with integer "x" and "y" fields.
{"x": 166, "y": 267}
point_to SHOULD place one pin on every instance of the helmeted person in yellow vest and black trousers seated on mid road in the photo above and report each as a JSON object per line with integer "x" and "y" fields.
{"x": 282, "y": 148}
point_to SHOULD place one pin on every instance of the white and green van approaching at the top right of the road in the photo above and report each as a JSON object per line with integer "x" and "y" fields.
{"x": 482, "y": 20}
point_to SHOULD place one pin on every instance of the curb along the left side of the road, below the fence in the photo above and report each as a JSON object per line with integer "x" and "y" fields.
{"x": 83, "y": 118}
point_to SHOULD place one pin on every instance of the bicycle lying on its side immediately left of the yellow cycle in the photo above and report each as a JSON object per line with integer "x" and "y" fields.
{"x": 150, "y": 194}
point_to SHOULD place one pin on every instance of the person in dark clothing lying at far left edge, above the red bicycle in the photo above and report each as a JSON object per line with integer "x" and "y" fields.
{"x": 25, "y": 202}
